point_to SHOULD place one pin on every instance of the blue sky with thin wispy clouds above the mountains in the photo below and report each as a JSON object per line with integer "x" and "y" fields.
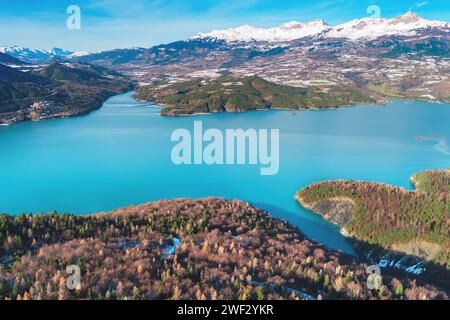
{"x": 109, "y": 24}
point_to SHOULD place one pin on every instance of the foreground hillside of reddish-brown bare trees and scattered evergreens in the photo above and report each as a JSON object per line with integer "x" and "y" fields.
{"x": 181, "y": 249}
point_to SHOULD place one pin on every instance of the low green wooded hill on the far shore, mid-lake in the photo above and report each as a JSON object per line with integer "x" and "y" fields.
{"x": 239, "y": 94}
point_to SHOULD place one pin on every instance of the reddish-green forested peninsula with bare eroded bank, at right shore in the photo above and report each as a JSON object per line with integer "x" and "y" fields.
{"x": 394, "y": 218}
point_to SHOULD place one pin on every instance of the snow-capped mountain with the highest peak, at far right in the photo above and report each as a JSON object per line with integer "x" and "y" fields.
{"x": 370, "y": 28}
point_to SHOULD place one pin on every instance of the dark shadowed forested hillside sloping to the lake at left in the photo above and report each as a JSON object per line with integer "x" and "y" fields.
{"x": 56, "y": 90}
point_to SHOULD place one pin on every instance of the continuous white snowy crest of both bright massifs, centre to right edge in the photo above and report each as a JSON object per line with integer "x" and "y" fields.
{"x": 365, "y": 28}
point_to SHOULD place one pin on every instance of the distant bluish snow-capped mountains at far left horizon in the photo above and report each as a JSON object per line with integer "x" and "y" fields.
{"x": 38, "y": 56}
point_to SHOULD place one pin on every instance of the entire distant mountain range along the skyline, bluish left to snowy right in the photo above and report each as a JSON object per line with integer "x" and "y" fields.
{"x": 409, "y": 24}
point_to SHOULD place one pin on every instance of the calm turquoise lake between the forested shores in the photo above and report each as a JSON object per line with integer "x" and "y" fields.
{"x": 120, "y": 155}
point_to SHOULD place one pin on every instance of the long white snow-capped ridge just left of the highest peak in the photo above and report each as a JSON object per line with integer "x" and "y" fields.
{"x": 286, "y": 32}
